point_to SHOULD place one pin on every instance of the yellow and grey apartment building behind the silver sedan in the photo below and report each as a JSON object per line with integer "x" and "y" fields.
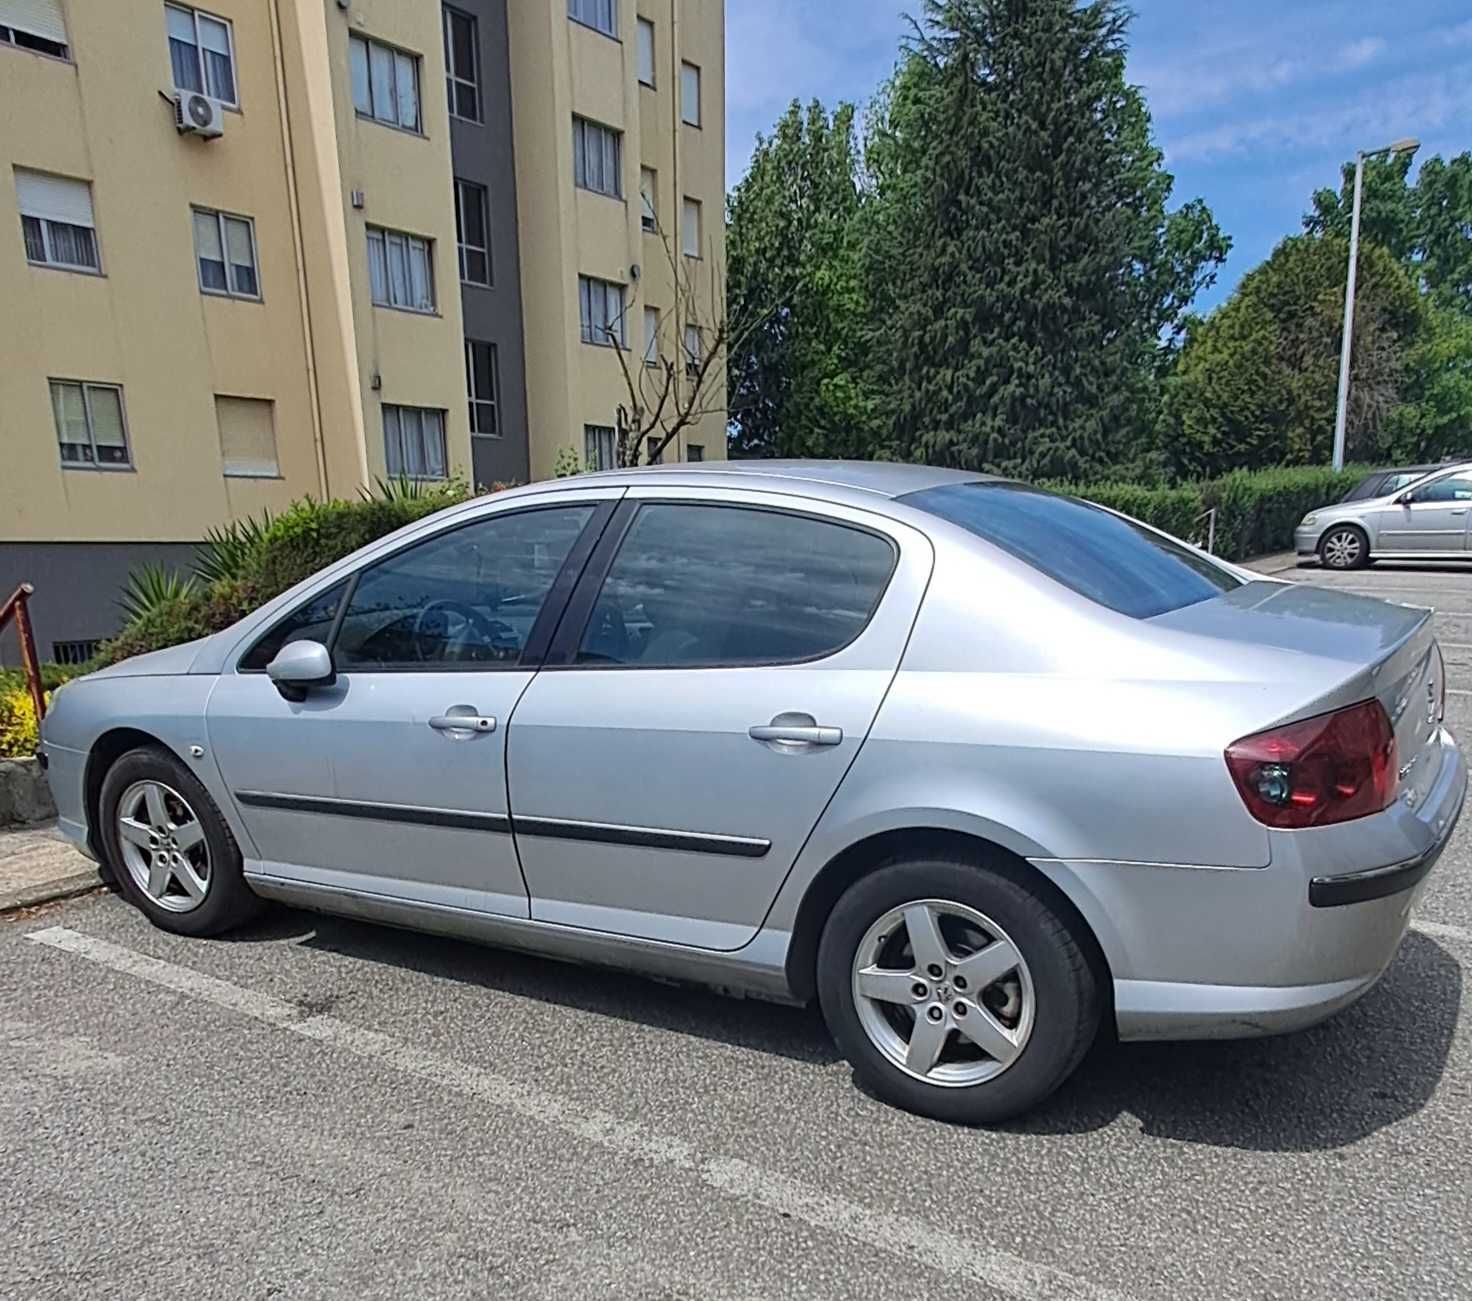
{"x": 266, "y": 249}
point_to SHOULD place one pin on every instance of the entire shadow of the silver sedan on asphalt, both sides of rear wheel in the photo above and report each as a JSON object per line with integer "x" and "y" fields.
{"x": 1374, "y": 1065}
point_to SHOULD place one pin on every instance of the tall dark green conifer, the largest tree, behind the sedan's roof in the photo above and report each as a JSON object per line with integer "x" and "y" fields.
{"x": 1027, "y": 279}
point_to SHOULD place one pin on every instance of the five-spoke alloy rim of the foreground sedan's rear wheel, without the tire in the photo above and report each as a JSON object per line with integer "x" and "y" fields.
{"x": 944, "y": 993}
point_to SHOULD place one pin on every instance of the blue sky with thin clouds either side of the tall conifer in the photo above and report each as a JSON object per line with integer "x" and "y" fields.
{"x": 1256, "y": 102}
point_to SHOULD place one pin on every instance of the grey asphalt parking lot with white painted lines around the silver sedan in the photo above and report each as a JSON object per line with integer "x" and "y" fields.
{"x": 325, "y": 1109}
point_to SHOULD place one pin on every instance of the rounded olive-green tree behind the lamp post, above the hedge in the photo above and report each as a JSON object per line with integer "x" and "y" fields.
{"x": 1258, "y": 380}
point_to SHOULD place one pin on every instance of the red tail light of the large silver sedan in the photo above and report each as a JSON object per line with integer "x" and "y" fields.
{"x": 1327, "y": 769}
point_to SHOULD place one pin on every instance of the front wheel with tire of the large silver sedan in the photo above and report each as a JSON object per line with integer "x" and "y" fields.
{"x": 213, "y": 896}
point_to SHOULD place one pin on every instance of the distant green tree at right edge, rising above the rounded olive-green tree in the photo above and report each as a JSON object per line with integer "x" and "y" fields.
{"x": 1427, "y": 224}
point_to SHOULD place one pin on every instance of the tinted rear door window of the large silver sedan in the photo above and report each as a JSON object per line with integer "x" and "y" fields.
{"x": 716, "y": 586}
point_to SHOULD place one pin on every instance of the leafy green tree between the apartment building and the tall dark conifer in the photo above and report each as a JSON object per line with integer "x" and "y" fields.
{"x": 800, "y": 386}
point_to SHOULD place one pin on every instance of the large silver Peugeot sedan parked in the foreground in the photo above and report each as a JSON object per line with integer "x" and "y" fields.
{"x": 975, "y": 766}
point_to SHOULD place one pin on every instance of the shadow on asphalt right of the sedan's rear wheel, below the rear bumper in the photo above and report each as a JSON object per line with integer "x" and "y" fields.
{"x": 1371, "y": 1066}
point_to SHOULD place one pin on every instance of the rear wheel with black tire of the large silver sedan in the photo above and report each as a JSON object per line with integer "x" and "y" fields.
{"x": 988, "y": 909}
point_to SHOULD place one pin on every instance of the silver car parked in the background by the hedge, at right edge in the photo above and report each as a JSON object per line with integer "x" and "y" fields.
{"x": 1426, "y": 520}
